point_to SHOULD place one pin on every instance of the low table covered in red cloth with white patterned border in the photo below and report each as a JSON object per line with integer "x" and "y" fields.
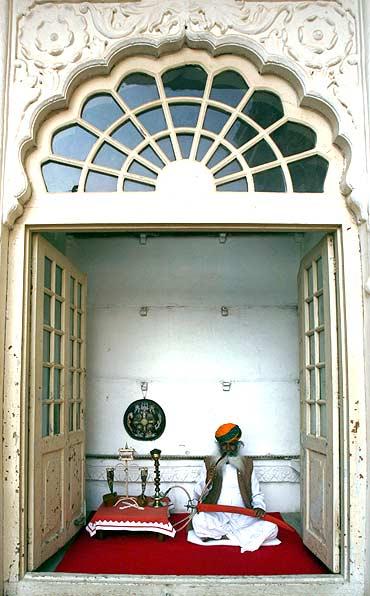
{"x": 146, "y": 519}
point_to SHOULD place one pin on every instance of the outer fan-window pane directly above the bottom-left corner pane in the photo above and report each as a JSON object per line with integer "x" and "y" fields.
{"x": 73, "y": 141}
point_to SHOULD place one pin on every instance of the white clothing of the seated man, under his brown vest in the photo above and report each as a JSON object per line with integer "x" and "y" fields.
{"x": 247, "y": 532}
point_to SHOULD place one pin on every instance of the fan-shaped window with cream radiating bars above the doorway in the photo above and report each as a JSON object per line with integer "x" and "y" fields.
{"x": 125, "y": 137}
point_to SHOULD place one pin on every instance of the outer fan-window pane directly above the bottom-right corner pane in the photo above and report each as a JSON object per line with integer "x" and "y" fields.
{"x": 292, "y": 138}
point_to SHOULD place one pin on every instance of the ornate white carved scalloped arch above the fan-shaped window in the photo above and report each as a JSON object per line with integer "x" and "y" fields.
{"x": 60, "y": 44}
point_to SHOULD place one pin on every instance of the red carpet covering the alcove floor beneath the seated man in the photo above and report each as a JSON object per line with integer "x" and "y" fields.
{"x": 141, "y": 553}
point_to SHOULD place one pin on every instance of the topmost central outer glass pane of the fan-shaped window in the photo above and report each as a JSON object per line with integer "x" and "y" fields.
{"x": 186, "y": 81}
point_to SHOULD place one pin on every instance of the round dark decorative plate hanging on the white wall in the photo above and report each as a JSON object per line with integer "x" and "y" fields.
{"x": 144, "y": 420}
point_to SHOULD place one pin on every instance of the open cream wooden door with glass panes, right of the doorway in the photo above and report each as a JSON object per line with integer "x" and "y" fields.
{"x": 319, "y": 403}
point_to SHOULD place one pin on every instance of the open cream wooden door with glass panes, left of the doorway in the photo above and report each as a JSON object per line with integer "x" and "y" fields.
{"x": 57, "y": 395}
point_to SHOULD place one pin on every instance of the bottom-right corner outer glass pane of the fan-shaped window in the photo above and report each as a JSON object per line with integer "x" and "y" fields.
{"x": 308, "y": 175}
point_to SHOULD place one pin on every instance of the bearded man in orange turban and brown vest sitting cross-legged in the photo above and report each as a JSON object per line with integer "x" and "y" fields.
{"x": 230, "y": 480}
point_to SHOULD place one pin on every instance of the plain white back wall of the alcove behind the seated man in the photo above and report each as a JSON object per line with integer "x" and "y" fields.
{"x": 184, "y": 348}
